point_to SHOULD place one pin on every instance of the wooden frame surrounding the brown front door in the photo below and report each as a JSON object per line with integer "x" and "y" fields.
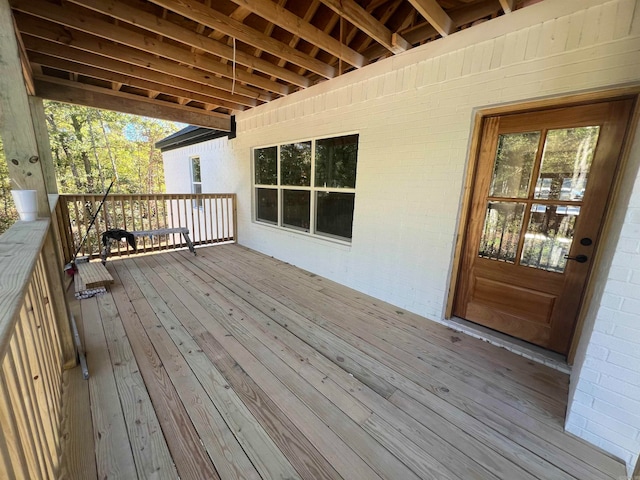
{"x": 629, "y": 92}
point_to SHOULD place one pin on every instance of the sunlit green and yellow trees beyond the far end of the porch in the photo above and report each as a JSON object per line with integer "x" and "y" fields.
{"x": 90, "y": 147}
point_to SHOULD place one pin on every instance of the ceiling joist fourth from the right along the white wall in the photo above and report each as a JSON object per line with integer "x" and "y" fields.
{"x": 282, "y": 17}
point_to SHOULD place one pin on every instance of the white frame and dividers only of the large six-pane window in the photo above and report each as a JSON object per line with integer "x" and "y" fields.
{"x": 312, "y": 231}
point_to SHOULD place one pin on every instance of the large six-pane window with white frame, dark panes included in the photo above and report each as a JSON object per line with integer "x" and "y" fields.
{"x": 308, "y": 186}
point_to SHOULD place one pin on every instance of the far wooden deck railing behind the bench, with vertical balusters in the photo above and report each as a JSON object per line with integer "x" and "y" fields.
{"x": 210, "y": 218}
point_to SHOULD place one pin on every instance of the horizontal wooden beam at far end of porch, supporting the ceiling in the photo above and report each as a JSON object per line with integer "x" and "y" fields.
{"x": 96, "y": 97}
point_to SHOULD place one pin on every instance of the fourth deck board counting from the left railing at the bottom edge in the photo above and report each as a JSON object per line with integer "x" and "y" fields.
{"x": 187, "y": 451}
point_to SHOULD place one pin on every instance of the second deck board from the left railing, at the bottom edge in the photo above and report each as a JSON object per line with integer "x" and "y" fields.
{"x": 112, "y": 449}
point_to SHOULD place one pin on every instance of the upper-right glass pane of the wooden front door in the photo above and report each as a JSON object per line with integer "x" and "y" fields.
{"x": 566, "y": 160}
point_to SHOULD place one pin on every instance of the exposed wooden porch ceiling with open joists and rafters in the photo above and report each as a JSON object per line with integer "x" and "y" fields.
{"x": 200, "y": 61}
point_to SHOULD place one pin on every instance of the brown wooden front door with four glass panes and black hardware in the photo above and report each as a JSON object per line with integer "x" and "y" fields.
{"x": 541, "y": 188}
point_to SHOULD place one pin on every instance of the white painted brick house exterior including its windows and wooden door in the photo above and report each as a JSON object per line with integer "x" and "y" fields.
{"x": 385, "y": 220}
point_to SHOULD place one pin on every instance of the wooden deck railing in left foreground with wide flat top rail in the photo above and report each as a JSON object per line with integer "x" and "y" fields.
{"x": 32, "y": 353}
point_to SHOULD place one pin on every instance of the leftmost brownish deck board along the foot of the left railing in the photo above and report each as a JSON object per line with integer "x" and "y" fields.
{"x": 78, "y": 459}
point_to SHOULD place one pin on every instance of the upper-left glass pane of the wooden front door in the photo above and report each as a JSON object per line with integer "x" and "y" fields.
{"x": 513, "y": 165}
